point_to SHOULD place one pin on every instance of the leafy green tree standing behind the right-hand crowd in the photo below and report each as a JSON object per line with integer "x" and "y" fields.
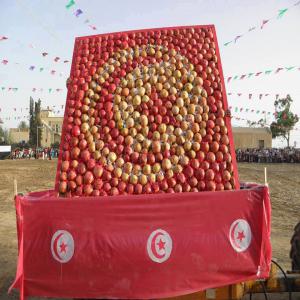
{"x": 285, "y": 119}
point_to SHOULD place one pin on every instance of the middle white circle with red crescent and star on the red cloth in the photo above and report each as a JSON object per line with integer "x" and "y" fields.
{"x": 159, "y": 246}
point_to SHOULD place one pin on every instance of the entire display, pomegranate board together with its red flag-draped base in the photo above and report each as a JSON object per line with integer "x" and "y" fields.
{"x": 145, "y": 114}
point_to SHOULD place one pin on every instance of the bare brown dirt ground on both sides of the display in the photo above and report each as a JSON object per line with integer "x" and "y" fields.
{"x": 284, "y": 181}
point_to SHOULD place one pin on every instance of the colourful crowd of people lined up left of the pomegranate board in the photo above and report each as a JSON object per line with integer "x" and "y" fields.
{"x": 45, "y": 153}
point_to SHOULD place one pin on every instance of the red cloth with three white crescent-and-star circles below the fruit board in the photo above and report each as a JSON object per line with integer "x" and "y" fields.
{"x": 147, "y": 246}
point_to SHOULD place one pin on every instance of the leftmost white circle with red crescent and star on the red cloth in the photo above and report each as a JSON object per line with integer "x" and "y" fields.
{"x": 62, "y": 246}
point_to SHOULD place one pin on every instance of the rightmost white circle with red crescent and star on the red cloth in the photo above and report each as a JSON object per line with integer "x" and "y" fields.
{"x": 240, "y": 235}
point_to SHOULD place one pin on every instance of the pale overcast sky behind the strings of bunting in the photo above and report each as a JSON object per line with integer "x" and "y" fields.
{"x": 37, "y": 26}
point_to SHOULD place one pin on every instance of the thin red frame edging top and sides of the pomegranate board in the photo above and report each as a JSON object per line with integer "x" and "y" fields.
{"x": 224, "y": 95}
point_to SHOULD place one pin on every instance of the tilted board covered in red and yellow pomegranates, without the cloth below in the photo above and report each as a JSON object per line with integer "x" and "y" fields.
{"x": 146, "y": 113}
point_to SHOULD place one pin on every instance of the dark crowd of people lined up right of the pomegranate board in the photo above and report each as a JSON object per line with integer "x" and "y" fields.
{"x": 269, "y": 155}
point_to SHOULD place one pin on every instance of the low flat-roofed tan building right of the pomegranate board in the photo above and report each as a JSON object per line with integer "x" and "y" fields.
{"x": 247, "y": 137}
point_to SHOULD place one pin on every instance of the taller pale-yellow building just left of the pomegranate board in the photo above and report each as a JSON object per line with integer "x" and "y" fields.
{"x": 51, "y": 128}
